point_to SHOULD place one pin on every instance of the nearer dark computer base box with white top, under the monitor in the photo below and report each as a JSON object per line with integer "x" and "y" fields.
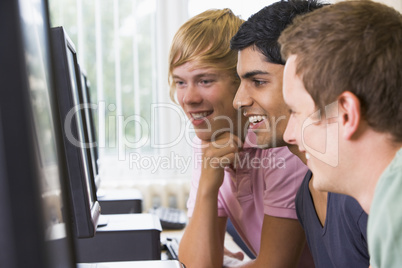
{"x": 124, "y": 237}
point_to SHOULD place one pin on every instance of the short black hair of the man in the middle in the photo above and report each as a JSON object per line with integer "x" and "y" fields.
{"x": 264, "y": 27}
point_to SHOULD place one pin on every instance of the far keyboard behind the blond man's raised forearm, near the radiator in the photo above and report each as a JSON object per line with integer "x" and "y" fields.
{"x": 170, "y": 218}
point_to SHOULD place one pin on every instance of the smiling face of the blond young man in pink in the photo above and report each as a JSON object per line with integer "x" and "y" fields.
{"x": 206, "y": 96}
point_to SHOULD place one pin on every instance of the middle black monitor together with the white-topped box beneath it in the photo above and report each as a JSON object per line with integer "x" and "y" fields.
{"x": 124, "y": 237}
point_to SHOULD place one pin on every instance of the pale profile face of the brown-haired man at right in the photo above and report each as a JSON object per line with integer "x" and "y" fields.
{"x": 315, "y": 132}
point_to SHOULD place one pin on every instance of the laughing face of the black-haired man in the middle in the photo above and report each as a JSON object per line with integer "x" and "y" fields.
{"x": 259, "y": 97}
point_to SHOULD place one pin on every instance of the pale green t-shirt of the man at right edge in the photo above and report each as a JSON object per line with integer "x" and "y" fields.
{"x": 384, "y": 230}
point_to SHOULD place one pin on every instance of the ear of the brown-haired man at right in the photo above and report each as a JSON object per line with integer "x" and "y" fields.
{"x": 349, "y": 114}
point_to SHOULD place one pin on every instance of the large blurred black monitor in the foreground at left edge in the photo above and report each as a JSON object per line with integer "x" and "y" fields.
{"x": 34, "y": 226}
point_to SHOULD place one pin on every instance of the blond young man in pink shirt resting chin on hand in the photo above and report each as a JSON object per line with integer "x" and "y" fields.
{"x": 257, "y": 194}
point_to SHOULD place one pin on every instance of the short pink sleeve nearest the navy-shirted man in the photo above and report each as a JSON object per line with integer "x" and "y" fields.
{"x": 282, "y": 178}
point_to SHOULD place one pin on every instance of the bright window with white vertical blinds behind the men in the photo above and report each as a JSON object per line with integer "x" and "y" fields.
{"x": 123, "y": 46}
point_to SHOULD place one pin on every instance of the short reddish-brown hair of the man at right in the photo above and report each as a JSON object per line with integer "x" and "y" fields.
{"x": 352, "y": 46}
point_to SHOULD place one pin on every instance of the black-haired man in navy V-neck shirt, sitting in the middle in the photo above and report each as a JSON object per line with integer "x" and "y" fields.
{"x": 335, "y": 225}
